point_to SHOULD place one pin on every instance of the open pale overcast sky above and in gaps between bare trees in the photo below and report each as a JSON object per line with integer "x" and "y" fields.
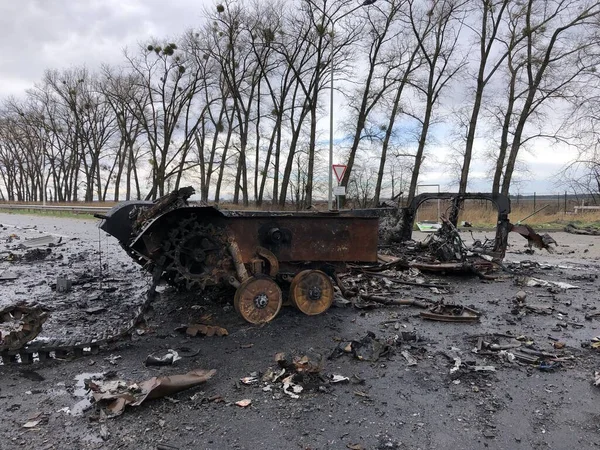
{"x": 46, "y": 34}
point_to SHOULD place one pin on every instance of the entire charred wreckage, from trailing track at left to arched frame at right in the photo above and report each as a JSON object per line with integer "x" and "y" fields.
{"x": 269, "y": 257}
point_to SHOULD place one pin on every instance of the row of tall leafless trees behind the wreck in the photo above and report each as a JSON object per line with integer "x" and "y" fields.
{"x": 237, "y": 106}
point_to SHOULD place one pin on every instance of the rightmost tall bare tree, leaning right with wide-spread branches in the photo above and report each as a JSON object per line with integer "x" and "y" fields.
{"x": 560, "y": 38}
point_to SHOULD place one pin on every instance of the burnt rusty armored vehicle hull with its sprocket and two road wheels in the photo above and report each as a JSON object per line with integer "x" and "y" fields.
{"x": 192, "y": 247}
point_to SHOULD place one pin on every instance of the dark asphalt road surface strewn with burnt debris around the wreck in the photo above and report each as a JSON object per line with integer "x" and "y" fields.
{"x": 422, "y": 406}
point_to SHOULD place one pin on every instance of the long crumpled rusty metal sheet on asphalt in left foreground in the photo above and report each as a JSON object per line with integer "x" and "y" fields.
{"x": 119, "y": 394}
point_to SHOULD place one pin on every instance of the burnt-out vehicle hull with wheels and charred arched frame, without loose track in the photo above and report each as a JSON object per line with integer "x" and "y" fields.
{"x": 259, "y": 252}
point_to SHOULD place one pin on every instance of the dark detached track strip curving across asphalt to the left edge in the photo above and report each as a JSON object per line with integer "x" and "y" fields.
{"x": 74, "y": 347}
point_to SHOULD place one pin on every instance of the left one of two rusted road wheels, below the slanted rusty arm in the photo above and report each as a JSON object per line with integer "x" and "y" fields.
{"x": 258, "y": 299}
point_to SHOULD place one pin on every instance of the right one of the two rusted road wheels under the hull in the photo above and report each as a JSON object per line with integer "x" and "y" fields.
{"x": 311, "y": 292}
